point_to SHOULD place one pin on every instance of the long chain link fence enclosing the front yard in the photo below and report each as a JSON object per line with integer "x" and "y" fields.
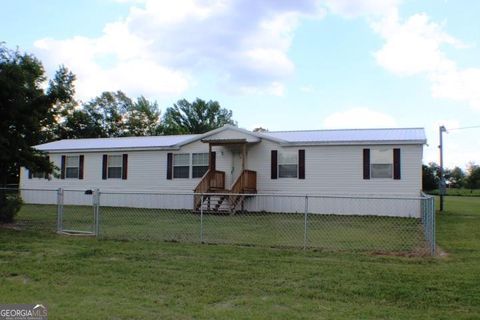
{"x": 330, "y": 222}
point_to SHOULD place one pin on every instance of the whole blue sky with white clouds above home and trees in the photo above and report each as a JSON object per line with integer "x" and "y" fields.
{"x": 282, "y": 65}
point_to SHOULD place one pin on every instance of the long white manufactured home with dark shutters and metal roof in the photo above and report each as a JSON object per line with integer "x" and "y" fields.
{"x": 236, "y": 164}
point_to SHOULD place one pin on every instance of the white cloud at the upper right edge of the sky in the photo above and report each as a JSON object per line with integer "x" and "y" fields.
{"x": 415, "y": 47}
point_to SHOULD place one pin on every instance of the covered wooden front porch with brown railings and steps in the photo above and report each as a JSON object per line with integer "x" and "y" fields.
{"x": 217, "y": 195}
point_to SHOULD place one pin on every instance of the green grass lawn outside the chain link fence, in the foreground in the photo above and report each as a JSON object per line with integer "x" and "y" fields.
{"x": 85, "y": 278}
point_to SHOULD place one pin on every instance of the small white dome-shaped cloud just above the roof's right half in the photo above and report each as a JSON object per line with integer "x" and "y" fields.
{"x": 360, "y": 117}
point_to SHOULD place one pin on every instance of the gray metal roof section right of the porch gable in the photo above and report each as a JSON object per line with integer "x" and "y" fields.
{"x": 413, "y": 135}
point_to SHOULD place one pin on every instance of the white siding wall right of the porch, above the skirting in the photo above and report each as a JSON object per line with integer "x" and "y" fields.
{"x": 336, "y": 170}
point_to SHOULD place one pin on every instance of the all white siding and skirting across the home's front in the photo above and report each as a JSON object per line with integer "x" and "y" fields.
{"x": 329, "y": 170}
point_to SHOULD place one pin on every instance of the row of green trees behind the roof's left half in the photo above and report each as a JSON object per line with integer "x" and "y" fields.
{"x": 114, "y": 114}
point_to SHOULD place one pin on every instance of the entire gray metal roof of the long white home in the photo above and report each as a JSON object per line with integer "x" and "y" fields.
{"x": 313, "y": 137}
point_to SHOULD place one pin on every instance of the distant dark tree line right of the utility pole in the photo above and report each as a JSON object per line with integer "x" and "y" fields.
{"x": 454, "y": 178}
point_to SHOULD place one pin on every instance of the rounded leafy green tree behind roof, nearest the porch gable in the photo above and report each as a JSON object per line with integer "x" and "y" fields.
{"x": 196, "y": 117}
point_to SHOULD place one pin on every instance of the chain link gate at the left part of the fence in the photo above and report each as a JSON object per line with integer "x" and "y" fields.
{"x": 78, "y": 211}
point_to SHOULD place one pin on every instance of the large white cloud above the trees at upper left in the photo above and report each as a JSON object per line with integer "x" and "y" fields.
{"x": 115, "y": 61}
